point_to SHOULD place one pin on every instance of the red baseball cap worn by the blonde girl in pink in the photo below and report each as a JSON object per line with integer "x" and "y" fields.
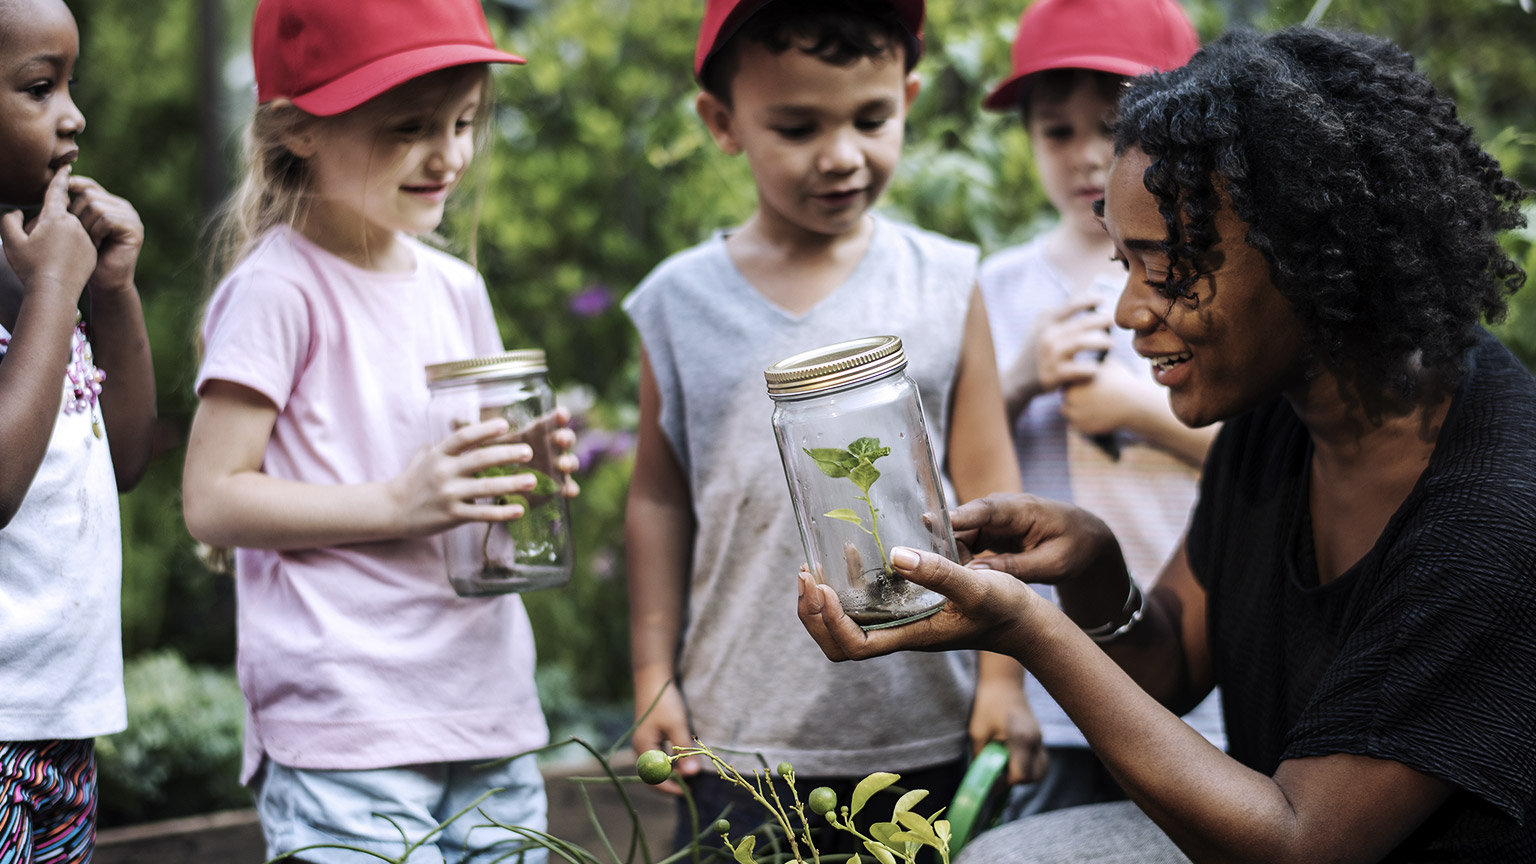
{"x": 333, "y": 56}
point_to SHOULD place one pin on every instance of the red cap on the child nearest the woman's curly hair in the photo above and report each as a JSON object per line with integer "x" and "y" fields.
{"x": 1127, "y": 38}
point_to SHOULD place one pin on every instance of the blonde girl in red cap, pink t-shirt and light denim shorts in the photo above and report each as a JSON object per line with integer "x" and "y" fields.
{"x": 372, "y": 690}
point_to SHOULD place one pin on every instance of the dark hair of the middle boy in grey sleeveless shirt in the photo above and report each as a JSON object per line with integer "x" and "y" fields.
{"x": 835, "y": 32}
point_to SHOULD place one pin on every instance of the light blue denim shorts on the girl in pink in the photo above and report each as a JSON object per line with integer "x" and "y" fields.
{"x": 302, "y": 808}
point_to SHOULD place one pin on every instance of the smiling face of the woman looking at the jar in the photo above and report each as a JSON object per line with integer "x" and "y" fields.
{"x": 1234, "y": 341}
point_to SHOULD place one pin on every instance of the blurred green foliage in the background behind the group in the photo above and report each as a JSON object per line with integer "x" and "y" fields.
{"x": 600, "y": 170}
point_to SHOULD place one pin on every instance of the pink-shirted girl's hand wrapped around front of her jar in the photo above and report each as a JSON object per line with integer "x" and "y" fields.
{"x": 439, "y": 488}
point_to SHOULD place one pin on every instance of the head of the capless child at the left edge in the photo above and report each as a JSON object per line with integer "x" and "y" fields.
{"x": 39, "y": 121}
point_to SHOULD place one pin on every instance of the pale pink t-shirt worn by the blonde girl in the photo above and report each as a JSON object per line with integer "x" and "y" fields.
{"x": 362, "y": 657}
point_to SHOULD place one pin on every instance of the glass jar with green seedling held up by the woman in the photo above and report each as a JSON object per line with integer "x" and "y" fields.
{"x": 862, "y": 474}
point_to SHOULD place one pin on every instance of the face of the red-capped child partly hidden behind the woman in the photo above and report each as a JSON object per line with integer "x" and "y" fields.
{"x": 1073, "y": 147}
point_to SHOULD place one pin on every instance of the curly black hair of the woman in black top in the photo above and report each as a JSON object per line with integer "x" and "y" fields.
{"x": 1374, "y": 205}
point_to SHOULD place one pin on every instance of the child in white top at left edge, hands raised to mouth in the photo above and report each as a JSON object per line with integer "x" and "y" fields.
{"x": 78, "y": 410}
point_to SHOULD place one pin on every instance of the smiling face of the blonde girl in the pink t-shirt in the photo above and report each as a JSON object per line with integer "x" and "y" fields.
{"x": 391, "y": 164}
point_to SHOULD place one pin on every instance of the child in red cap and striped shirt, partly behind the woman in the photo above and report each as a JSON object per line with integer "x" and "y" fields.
{"x": 1087, "y": 428}
